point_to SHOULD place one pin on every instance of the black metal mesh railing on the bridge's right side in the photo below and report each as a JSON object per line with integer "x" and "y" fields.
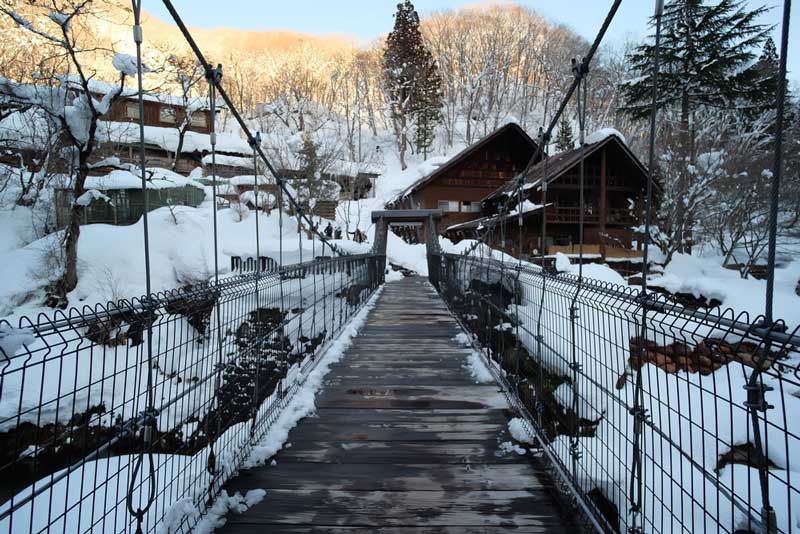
{"x": 712, "y": 443}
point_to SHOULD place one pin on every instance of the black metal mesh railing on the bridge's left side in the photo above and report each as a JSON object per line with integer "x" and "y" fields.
{"x": 81, "y": 452}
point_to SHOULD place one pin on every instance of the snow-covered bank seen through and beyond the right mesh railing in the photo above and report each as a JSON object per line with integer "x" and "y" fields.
{"x": 694, "y": 420}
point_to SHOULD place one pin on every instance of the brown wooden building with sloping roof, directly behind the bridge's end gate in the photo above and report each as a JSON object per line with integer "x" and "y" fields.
{"x": 458, "y": 186}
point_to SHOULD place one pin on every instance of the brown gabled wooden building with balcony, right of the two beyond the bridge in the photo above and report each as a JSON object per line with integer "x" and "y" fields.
{"x": 614, "y": 186}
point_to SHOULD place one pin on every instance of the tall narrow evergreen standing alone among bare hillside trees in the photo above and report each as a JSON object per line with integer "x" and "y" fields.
{"x": 413, "y": 85}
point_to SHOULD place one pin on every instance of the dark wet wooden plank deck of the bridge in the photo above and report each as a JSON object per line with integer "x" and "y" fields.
{"x": 404, "y": 441}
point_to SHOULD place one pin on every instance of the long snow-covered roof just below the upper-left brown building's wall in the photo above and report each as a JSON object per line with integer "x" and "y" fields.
{"x": 167, "y": 138}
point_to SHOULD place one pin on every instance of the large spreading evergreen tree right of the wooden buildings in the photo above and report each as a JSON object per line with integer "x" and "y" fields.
{"x": 706, "y": 54}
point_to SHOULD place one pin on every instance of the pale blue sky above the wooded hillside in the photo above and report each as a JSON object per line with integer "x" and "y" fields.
{"x": 369, "y": 19}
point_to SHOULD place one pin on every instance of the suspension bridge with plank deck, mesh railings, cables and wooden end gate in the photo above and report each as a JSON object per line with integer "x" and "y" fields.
{"x": 604, "y": 408}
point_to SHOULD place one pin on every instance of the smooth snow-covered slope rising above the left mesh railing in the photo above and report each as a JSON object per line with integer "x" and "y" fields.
{"x": 111, "y": 258}
